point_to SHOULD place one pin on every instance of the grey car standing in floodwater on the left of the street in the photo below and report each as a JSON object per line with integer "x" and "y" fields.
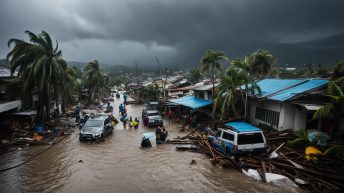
{"x": 96, "y": 128}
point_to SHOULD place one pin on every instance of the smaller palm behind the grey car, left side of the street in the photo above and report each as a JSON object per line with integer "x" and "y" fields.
{"x": 93, "y": 76}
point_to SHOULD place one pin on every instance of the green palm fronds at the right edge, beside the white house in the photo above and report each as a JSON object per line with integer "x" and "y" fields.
{"x": 335, "y": 108}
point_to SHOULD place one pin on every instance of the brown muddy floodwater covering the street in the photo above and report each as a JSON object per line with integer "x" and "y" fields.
{"x": 119, "y": 165}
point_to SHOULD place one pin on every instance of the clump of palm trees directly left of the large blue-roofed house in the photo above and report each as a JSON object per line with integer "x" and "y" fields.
{"x": 245, "y": 71}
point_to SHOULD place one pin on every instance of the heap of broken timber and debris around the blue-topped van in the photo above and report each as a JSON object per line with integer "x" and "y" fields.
{"x": 282, "y": 164}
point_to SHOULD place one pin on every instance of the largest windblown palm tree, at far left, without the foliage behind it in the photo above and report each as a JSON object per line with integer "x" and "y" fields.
{"x": 38, "y": 64}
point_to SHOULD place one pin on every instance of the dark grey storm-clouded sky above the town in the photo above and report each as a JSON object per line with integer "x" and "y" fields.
{"x": 180, "y": 31}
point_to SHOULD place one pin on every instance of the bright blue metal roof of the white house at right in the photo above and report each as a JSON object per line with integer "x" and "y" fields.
{"x": 284, "y": 89}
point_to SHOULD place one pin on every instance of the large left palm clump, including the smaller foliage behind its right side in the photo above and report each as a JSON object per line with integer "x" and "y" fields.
{"x": 41, "y": 70}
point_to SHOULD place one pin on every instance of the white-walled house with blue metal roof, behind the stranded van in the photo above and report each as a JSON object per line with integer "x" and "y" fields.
{"x": 288, "y": 103}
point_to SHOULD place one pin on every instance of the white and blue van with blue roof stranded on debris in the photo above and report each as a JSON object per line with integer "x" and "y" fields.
{"x": 239, "y": 138}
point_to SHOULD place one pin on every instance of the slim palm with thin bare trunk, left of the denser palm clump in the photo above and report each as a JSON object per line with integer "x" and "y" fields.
{"x": 211, "y": 62}
